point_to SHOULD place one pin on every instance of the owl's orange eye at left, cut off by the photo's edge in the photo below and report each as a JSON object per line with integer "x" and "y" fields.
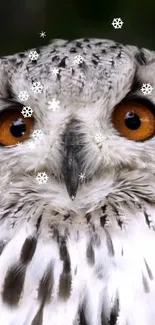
{"x": 14, "y": 127}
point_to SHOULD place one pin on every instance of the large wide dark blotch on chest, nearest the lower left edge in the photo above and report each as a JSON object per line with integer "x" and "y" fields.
{"x": 13, "y": 284}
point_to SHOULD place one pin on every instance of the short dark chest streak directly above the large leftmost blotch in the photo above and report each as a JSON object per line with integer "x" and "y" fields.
{"x": 28, "y": 250}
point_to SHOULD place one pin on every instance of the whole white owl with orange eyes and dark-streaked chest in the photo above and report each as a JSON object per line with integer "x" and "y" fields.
{"x": 77, "y": 185}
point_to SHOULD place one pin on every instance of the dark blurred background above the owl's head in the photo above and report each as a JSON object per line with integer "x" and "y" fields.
{"x": 21, "y": 21}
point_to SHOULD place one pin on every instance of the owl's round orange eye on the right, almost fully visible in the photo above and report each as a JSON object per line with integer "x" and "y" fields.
{"x": 134, "y": 120}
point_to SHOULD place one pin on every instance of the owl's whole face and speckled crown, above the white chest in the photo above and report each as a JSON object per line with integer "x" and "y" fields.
{"x": 89, "y": 118}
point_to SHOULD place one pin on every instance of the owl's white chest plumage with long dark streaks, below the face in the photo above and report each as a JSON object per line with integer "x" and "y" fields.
{"x": 61, "y": 270}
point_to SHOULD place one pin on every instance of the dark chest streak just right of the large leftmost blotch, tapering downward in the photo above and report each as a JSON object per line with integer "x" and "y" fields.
{"x": 46, "y": 285}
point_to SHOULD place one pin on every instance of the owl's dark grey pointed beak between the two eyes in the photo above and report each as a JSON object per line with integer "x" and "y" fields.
{"x": 71, "y": 172}
